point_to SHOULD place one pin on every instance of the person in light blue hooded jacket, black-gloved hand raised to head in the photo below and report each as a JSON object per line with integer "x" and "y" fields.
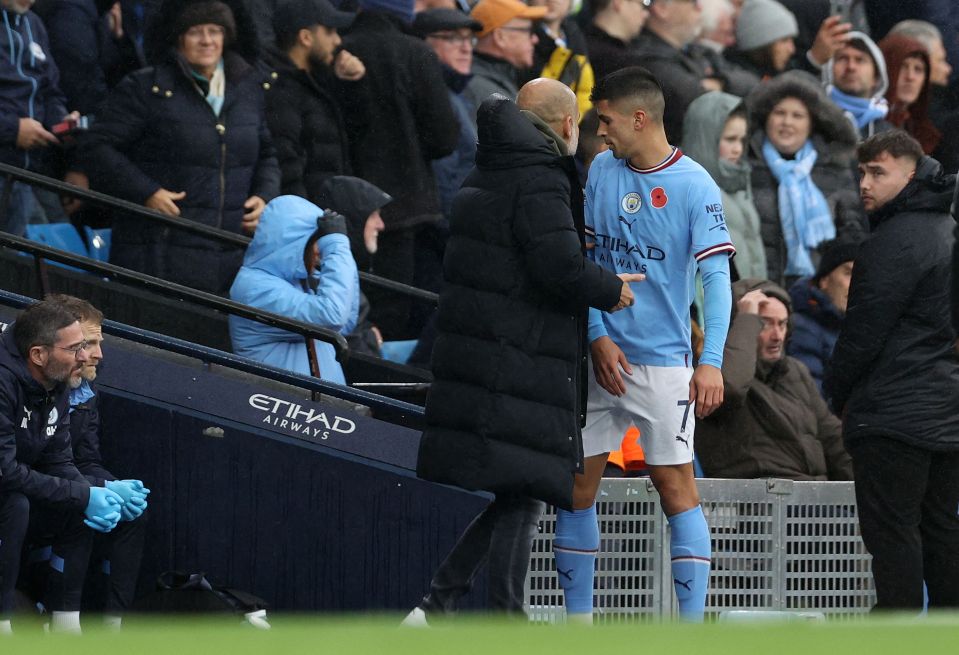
{"x": 298, "y": 265}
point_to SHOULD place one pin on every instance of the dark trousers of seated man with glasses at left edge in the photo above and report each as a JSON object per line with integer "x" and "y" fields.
{"x": 22, "y": 521}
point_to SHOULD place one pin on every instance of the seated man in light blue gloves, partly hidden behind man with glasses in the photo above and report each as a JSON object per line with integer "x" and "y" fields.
{"x": 118, "y": 553}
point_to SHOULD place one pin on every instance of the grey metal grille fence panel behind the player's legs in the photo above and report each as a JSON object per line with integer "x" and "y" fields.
{"x": 777, "y": 545}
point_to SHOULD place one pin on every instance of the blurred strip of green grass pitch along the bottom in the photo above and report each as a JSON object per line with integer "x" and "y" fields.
{"x": 380, "y": 635}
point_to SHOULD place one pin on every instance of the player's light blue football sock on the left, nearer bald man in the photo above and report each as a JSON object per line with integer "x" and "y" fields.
{"x": 574, "y": 547}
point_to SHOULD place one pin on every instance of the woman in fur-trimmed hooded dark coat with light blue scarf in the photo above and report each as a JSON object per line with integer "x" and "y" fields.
{"x": 802, "y": 152}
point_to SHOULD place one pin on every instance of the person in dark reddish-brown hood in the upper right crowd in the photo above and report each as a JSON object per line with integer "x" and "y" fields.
{"x": 907, "y": 62}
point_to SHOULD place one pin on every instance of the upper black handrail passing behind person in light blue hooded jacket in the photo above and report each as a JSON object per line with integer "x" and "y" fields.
{"x": 12, "y": 173}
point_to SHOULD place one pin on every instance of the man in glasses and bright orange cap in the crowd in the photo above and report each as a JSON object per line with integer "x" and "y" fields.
{"x": 504, "y": 48}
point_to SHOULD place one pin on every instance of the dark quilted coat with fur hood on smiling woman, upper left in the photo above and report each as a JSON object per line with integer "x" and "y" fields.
{"x": 157, "y": 130}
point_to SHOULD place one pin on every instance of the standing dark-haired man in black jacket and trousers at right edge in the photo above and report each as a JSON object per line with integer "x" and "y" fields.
{"x": 894, "y": 376}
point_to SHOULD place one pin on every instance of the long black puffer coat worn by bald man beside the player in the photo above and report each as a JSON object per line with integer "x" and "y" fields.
{"x": 506, "y": 406}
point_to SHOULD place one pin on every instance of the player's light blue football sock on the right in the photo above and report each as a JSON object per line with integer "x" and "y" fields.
{"x": 690, "y": 552}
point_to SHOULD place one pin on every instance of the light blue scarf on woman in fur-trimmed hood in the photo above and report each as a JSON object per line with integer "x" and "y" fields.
{"x": 803, "y": 210}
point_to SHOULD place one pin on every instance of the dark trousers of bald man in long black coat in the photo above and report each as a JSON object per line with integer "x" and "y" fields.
{"x": 500, "y": 536}
